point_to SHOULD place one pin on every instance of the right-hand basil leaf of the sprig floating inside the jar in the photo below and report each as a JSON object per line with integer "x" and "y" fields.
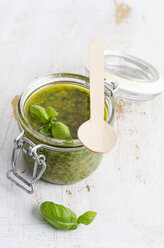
{"x": 60, "y": 131}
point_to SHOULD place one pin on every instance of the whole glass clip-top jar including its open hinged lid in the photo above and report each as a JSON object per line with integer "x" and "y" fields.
{"x": 62, "y": 162}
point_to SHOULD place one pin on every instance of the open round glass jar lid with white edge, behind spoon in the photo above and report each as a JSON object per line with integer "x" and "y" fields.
{"x": 137, "y": 79}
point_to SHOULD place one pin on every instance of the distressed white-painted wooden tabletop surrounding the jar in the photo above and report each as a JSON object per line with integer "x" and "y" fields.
{"x": 127, "y": 191}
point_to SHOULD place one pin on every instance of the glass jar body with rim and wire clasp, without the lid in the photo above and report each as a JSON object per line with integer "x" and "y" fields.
{"x": 53, "y": 160}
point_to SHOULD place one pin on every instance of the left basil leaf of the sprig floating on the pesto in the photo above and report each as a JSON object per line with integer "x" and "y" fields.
{"x": 39, "y": 113}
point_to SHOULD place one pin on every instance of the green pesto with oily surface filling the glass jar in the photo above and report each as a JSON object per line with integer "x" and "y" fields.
{"x": 72, "y": 104}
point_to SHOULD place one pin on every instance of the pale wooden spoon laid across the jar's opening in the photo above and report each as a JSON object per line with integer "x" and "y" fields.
{"x": 96, "y": 134}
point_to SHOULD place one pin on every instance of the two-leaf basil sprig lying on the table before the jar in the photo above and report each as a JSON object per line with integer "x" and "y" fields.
{"x": 63, "y": 218}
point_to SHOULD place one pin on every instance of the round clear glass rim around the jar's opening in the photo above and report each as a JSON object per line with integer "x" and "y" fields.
{"x": 49, "y": 79}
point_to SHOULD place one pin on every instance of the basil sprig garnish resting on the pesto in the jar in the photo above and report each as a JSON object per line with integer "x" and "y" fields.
{"x": 52, "y": 127}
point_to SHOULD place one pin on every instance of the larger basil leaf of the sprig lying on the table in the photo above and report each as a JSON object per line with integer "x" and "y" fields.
{"x": 60, "y": 217}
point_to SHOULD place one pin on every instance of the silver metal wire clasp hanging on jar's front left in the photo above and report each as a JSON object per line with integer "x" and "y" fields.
{"x": 38, "y": 160}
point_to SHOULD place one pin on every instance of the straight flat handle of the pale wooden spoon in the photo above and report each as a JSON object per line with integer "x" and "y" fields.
{"x": 96, "y": 67}
